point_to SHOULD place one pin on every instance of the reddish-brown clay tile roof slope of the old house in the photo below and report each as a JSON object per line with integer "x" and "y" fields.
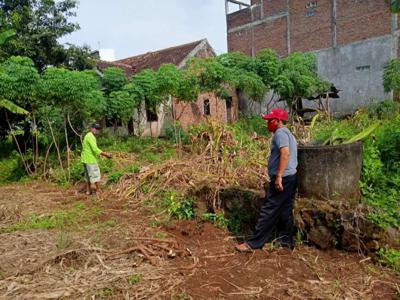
{"x": 153, "y": 60}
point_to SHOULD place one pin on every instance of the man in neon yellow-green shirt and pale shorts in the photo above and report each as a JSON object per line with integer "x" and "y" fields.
{"x": 89, "y": 155}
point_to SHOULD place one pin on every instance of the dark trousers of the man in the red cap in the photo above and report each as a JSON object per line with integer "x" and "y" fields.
{"x": 276, "y": 215}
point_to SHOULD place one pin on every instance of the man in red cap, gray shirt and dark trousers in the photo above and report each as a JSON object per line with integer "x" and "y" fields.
{"x": 277, "y": 211}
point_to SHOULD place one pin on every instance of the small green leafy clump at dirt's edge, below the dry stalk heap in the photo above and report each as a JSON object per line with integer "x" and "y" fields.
{"x": 179, "y": 207}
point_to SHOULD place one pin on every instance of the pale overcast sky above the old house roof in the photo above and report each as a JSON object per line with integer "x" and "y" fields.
{"x": 134, "y": 27}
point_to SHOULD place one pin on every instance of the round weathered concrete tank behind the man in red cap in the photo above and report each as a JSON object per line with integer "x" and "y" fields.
{"x": 330, "y": 172}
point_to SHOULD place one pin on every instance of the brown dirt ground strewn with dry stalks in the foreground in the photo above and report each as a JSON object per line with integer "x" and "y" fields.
{"x": 125, "y": 253}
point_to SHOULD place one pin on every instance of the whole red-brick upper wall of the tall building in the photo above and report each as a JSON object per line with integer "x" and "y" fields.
{"x": 311, "y": 28}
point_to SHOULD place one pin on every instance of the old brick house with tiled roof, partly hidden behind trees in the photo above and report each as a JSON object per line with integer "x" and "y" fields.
{"x": 207, "y": 105}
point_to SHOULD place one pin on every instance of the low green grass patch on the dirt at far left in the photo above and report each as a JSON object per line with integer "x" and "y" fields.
{"x": 74, "y": 217}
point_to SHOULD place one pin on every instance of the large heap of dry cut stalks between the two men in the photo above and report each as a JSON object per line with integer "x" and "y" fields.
{"x": 219, "y": 157}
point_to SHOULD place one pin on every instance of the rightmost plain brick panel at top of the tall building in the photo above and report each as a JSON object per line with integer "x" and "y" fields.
{"x": 358, "y": 20}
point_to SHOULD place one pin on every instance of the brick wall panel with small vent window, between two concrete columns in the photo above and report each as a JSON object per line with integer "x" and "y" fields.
{"x": 311, "y": 28}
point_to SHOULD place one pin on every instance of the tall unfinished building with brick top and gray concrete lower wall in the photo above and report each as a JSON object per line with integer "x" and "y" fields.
{"x": 352, "y": 40}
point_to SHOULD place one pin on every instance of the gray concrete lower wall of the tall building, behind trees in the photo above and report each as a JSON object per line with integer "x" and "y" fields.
{"x": 357, "y": 70}
